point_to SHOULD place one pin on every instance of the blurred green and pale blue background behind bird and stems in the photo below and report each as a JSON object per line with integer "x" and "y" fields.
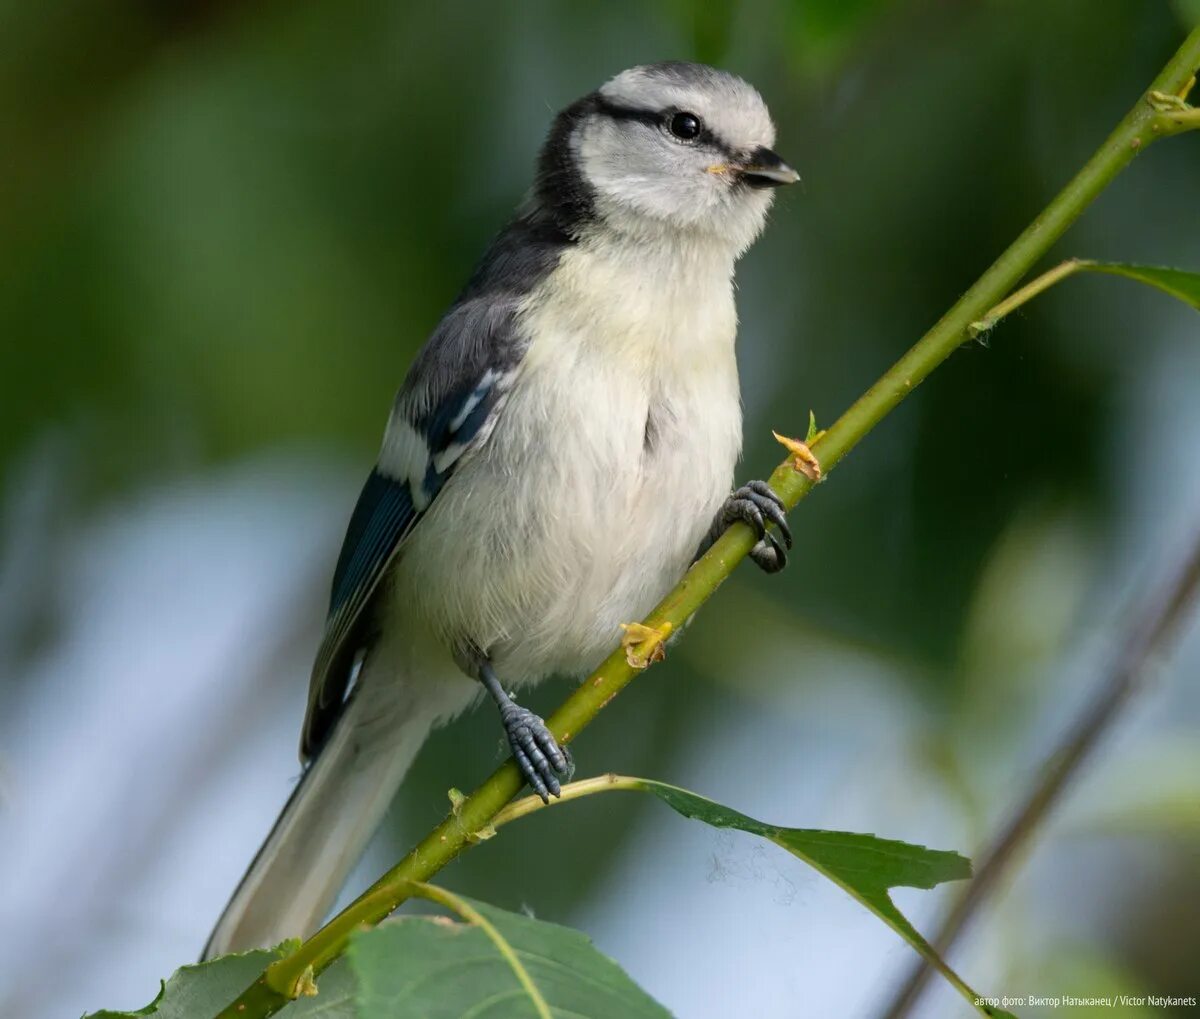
{"x": 225, "y": 230}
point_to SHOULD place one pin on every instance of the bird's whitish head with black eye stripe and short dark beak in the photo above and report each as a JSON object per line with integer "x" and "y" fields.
{"x": 665, "y": 149}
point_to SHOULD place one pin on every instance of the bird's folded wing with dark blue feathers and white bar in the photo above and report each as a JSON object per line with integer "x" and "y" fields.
{"x": 447, "y": 409}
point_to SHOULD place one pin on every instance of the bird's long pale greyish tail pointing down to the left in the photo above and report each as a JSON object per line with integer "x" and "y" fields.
{"x": 327, "y": 823}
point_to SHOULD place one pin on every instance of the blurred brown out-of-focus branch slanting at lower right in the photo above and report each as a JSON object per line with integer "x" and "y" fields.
{"x": 1147, "y": 643}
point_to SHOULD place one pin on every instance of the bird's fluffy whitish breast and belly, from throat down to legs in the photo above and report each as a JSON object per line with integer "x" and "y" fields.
{"x": 615, "y": 448}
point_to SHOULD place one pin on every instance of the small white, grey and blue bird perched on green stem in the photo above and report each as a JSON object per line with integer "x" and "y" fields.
{"x": 562, "y": 449}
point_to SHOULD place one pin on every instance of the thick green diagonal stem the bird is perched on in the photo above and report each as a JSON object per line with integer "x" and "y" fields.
{"x": 1145, "y": 123}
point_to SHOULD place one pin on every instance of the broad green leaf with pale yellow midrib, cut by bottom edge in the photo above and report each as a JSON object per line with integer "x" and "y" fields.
{"x": 433, "y": 968}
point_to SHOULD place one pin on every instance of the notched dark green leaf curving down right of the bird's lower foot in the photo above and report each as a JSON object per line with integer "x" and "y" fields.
{"x": 865, "y": 866}
